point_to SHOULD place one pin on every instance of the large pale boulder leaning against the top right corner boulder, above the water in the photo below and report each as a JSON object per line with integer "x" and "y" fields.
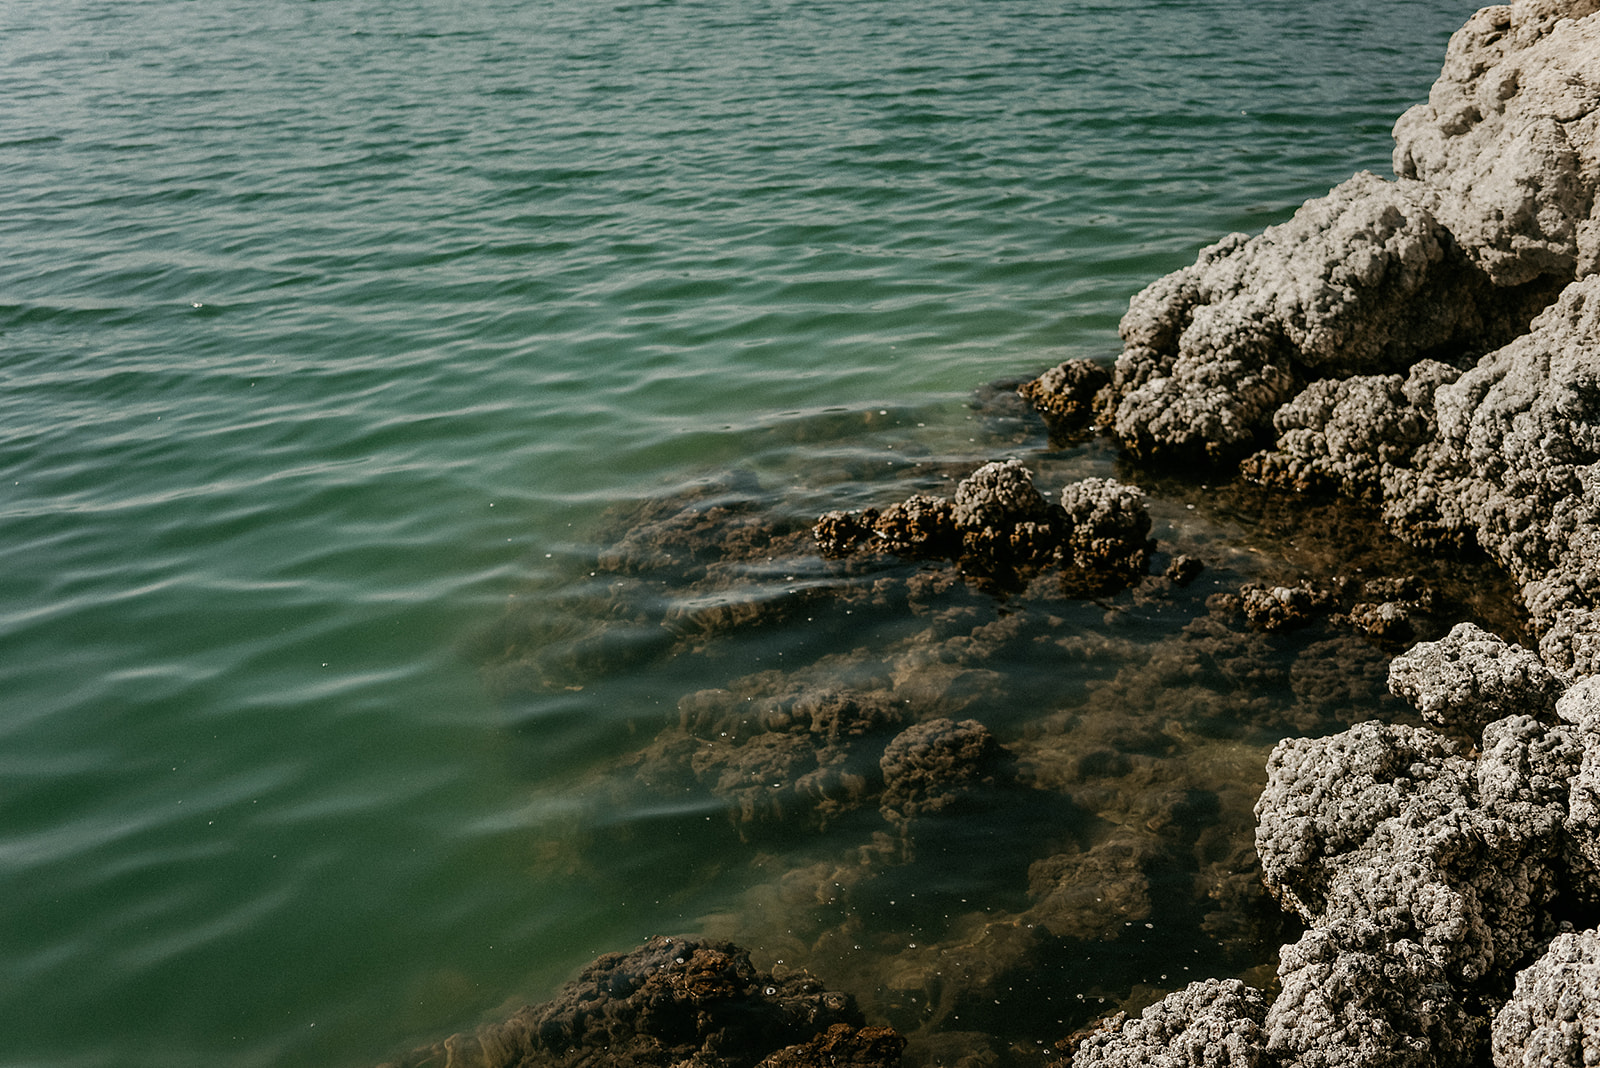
{"x": 1364, "y": 281}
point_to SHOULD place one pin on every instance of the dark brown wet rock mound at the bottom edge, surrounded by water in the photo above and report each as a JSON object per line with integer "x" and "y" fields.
{"x": 678, "y": 1002}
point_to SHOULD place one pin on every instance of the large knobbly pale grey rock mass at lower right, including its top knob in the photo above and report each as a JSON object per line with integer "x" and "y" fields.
{"x": 1428, "y": 875}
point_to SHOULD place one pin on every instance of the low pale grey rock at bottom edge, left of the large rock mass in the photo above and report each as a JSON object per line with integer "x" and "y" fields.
{"x": 1212, "y": 1024}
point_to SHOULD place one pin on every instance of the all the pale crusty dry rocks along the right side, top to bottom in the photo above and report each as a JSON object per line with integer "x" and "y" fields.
{"x": 1430, "y": 345}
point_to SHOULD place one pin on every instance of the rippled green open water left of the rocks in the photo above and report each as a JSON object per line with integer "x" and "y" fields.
{"x": 326, "y": 329}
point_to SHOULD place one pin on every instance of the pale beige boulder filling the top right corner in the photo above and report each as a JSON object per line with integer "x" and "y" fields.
{"x": 1506, "y": 141}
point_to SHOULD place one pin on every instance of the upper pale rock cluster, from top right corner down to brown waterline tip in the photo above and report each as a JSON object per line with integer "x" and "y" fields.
{"x": 1431, "y": 343}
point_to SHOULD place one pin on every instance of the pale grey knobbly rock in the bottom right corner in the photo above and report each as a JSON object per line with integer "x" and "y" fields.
{"x": 1553, "y": 1021}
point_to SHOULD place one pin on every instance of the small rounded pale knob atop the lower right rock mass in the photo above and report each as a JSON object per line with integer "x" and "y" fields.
{"x": 1465, "y": 682}
